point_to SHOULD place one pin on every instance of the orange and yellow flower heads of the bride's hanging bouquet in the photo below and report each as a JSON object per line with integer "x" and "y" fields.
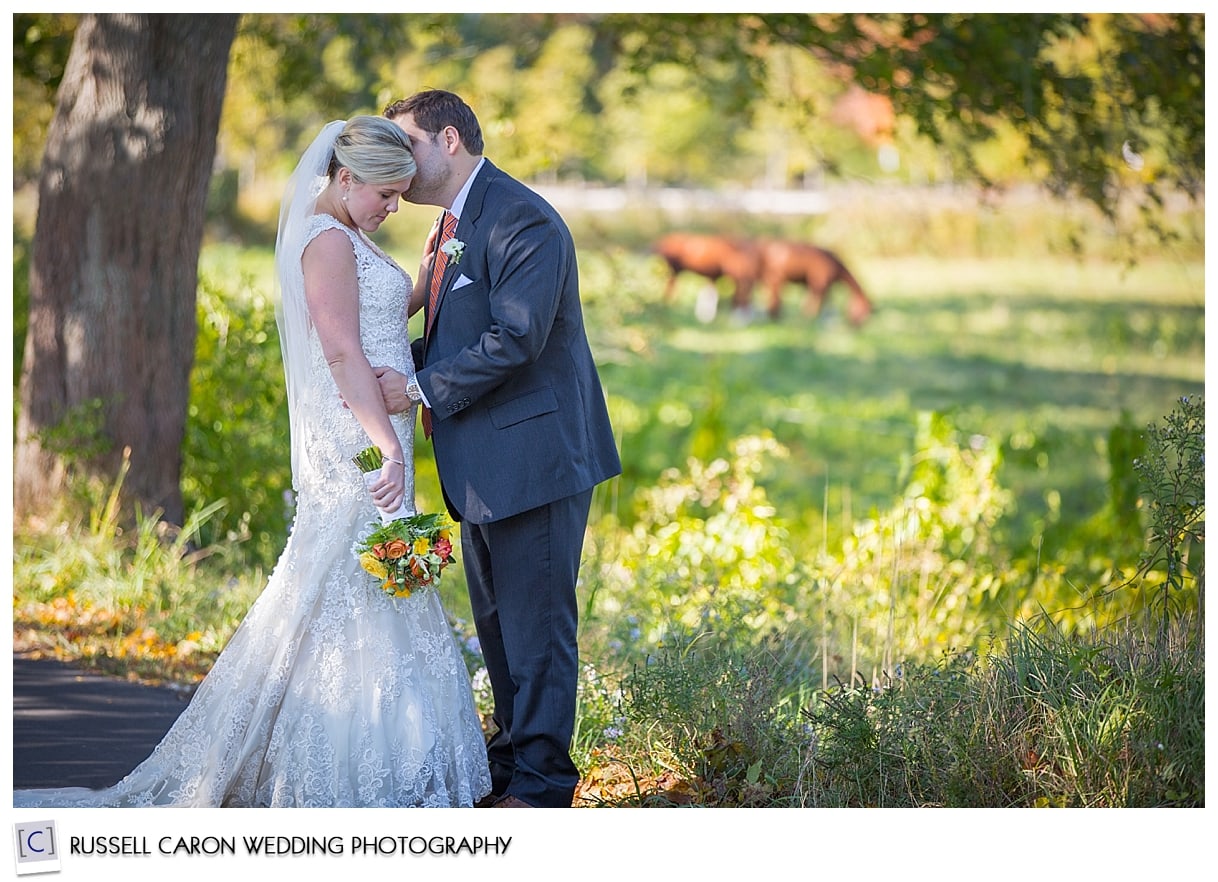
{"x": 407, "y": 554}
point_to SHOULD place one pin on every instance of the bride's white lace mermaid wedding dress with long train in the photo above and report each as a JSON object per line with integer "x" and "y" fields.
{"x": 329, "y": 694}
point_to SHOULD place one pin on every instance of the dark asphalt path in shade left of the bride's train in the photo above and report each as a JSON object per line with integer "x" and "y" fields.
{"x": 71, "y": 728}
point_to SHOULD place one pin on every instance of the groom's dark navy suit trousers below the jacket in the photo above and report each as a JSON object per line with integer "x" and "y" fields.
{"x": 522, "y": 574}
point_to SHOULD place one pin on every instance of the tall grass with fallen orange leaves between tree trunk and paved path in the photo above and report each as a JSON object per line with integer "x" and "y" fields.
{"x": 138, "y": 599}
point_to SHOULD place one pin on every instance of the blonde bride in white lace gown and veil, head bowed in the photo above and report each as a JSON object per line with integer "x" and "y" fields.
{"x": 331, "y": 693}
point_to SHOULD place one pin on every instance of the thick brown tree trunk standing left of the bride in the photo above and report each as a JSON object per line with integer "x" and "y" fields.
{"x": 114, "y": 272}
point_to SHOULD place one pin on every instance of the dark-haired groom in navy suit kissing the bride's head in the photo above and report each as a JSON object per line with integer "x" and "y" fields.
{"x": 521, "y": 434}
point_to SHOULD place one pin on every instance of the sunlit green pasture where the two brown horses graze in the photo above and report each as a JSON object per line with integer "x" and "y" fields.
{"x": 1046, "y": 355}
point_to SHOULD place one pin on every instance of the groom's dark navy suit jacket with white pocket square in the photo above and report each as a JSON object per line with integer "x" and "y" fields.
{"x": 519, "y": 417}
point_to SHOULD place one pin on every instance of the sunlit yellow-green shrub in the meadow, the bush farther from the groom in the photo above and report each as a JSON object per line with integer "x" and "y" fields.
{"x": 926, "y": 574}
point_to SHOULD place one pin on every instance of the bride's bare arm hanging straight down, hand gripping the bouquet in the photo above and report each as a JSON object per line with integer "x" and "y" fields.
{"x": 332, "y": 292}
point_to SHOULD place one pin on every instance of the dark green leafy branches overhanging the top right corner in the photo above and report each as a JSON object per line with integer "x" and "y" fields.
{"x": 1105, "y": 103}
